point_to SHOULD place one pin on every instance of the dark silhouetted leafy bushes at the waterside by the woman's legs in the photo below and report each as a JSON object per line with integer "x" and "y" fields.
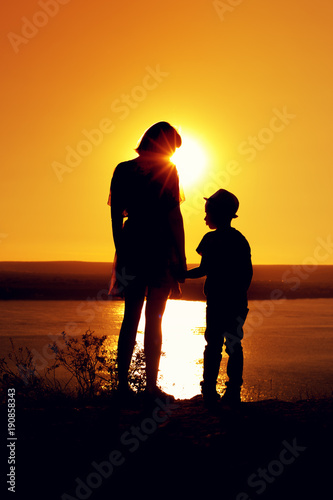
{"x": 91, "y": 365}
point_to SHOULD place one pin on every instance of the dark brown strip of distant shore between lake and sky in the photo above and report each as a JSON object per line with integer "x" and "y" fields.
{"x": 90, "y": 281}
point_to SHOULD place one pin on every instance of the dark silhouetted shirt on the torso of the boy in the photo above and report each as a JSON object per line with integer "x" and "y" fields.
{"x": 226, "y": 261}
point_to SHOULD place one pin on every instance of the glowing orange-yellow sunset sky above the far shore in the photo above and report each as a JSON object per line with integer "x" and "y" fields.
{"x": 250, "y": 80}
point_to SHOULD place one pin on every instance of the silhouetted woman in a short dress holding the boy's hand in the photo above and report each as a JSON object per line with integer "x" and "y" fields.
{"x": 148, "y": 234}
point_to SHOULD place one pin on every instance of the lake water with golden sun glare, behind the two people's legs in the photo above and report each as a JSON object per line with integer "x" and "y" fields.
{"x": 288, "y": 344}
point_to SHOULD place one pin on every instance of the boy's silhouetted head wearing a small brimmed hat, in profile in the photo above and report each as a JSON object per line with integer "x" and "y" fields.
{"x": 220, "y": 208}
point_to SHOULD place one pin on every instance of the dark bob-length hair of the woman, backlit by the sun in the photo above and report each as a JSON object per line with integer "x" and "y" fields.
{"x": 160, "y": 138}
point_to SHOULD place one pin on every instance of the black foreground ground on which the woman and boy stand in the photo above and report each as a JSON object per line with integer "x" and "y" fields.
{"x": 264, "y": 450}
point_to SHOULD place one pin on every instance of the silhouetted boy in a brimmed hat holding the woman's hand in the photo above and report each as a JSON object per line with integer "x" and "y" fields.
{"x": 226, "y": 263}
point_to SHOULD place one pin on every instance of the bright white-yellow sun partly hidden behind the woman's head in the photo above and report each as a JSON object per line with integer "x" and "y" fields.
{"x": 190, "y": 160}
